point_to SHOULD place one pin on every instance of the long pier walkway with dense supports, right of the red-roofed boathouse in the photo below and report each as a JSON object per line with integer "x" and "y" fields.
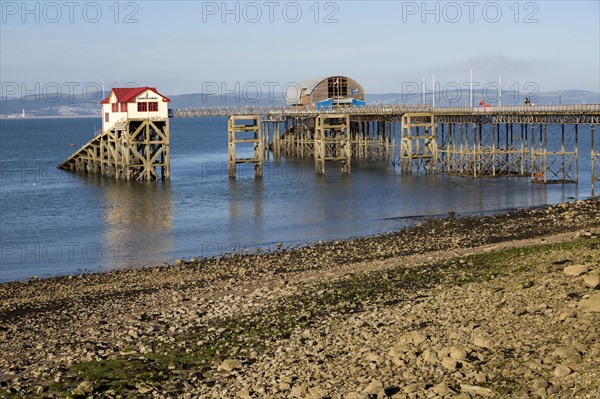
{"x": 540, "y": 142}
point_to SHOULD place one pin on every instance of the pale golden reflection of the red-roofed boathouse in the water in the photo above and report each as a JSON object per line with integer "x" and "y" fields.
{"x": 139, "y": 220}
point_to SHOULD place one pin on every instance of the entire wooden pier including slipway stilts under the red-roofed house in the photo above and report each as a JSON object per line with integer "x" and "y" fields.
{"x": 540, "y": 142}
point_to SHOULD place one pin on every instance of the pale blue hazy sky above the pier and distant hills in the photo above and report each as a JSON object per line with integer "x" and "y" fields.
{"x": 214, "y": 46}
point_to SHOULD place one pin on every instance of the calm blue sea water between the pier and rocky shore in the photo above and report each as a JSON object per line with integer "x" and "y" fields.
{"x": 57, "y": 223}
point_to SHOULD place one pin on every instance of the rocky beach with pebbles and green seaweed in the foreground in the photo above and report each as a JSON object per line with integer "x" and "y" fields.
{"x": 501, "y": 306}
